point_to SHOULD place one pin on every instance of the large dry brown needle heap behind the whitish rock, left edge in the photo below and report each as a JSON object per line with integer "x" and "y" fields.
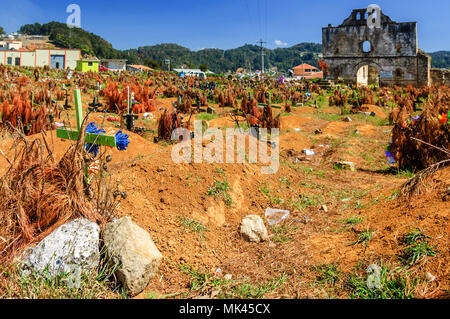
{"x": 37, "y": 194}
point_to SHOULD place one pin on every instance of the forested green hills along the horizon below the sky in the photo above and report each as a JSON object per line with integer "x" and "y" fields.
{"x": 220, "y": 61}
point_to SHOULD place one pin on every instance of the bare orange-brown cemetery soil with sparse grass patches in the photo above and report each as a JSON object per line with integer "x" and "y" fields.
{"x": 341, "y": 221}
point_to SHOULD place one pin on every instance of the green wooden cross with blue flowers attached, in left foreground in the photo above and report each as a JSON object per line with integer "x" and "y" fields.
{"x": 68, "y": 134}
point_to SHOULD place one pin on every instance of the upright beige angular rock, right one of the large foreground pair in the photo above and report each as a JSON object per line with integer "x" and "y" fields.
{"x": 133, "y": 250}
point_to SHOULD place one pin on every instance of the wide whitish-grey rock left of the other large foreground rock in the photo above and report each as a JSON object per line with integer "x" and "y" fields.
{"x": 70, "y": 246}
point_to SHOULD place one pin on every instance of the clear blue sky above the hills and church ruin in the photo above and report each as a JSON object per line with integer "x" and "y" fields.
{"x": 225, "y": 24}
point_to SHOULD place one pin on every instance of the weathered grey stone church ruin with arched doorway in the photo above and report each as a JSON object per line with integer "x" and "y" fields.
{"x": 385, "y": 55}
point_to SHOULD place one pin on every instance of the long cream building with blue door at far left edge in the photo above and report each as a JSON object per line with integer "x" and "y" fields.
{"x": 53, "y": 58}
